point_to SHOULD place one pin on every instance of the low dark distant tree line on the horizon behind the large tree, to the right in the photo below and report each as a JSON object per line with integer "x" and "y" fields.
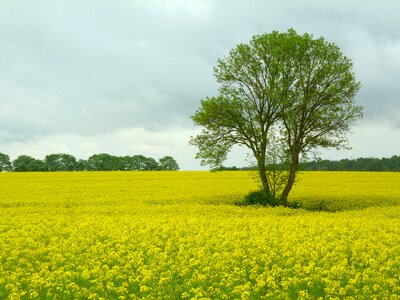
{"x": 360, "y": 164}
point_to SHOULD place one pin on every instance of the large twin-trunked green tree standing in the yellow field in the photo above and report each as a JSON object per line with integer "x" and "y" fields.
{"x": 282, "y": 88}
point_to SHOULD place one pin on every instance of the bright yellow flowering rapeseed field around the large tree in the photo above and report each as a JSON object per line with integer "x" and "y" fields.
{"x": 179, "y": 235}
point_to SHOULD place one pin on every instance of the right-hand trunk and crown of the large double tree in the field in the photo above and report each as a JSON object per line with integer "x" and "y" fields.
{"x": 317, "y": 106}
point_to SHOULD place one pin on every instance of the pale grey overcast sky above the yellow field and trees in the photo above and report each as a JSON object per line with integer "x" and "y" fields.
{"x": 124, "y": 76}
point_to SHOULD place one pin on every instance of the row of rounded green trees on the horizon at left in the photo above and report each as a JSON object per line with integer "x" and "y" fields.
{"x": 96, "y": 162}
